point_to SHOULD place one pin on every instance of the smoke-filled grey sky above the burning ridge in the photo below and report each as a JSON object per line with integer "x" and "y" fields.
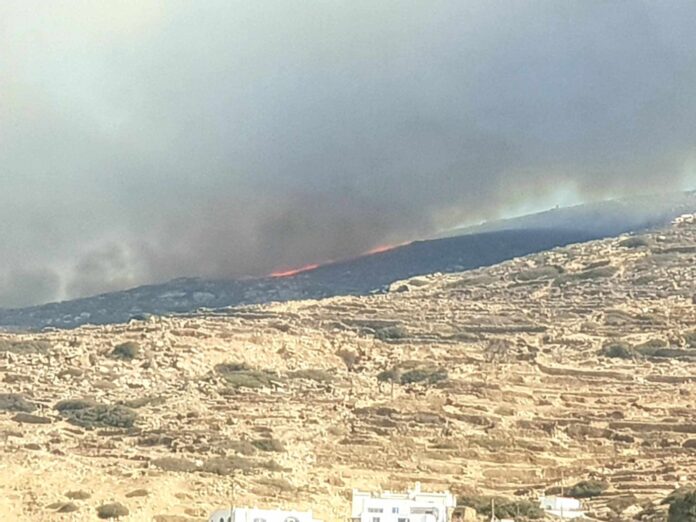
{"x": 144, "y": 140}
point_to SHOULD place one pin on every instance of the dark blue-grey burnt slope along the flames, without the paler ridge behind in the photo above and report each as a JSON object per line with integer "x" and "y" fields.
{"x": 354, "y": 277}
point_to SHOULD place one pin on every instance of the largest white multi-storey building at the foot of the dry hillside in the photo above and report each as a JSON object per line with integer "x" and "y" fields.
{"x": 412, "y": 506}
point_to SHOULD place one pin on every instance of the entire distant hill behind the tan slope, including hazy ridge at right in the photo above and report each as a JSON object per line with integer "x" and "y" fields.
{"x": 466, "y": 249}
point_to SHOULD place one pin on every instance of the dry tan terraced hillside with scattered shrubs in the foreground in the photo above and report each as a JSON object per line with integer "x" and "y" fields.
{"x": 500, "y": 389}
